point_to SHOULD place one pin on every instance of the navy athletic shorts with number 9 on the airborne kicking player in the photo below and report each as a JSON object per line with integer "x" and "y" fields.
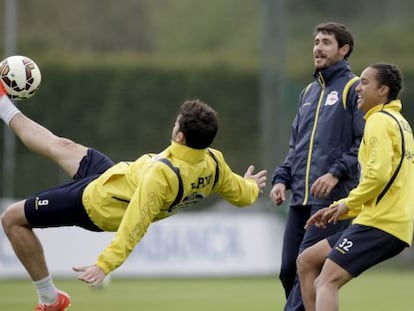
{"x": 62, "y": 205}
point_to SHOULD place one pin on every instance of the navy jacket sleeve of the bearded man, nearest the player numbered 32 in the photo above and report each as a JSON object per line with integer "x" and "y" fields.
{"x": 347, "y": 165}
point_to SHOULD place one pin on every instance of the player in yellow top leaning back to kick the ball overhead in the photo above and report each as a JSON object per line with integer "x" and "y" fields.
{"x": 125, "y": 197}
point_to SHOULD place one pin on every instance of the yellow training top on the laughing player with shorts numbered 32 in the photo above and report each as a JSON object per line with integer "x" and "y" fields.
{"x": 390, "y": 210}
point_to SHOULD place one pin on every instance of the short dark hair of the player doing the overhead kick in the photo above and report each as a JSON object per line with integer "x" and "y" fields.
{"x": 199, "y": 123}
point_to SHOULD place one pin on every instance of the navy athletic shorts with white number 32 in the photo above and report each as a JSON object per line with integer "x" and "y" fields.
{"x": 359, "y": 248}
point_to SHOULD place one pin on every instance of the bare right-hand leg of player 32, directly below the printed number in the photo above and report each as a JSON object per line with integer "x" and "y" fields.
{"x": 327, "y": 285}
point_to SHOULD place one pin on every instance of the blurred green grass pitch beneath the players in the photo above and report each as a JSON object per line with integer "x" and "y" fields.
{"x": 377, "y": 290}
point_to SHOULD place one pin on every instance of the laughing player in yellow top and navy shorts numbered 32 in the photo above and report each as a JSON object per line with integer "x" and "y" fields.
{"x": 382, "y": 203}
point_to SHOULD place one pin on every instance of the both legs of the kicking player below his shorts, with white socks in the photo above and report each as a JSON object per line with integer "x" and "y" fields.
{"x": 25, "y": 244}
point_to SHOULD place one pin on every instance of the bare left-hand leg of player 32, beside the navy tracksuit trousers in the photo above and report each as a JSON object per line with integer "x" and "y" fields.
{"x": 309, "y": 265}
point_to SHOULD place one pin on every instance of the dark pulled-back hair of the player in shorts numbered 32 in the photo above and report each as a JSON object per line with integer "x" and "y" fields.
{"x": 389, "y": 75}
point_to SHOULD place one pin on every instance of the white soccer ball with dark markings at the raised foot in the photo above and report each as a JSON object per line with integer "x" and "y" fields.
{"x": 20, "y": 76}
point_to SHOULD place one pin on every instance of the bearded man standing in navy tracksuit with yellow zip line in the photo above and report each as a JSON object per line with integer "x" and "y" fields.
{"x": 321, "y": 165}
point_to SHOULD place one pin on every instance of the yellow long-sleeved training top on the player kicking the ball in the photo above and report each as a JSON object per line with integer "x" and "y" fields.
{"x": 129, "y": 196}
